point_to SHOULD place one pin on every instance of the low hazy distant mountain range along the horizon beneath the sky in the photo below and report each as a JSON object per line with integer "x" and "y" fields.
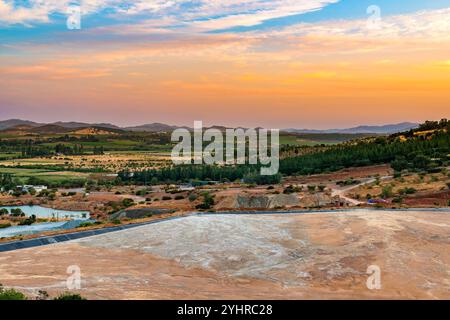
{"x": 60, "y": 127}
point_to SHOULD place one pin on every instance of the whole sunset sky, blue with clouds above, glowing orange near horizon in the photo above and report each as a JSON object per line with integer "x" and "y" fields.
{"x": 272, "y": 63}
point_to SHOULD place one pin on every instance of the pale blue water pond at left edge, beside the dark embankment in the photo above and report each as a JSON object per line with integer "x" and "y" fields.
{"x": 76, "y": 218}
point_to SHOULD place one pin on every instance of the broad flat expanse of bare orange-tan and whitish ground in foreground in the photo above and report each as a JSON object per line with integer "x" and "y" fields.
{"x": 284, "y": 256}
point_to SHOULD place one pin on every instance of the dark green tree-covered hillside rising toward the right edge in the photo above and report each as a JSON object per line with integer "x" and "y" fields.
{"x": 425, "y": 148}
